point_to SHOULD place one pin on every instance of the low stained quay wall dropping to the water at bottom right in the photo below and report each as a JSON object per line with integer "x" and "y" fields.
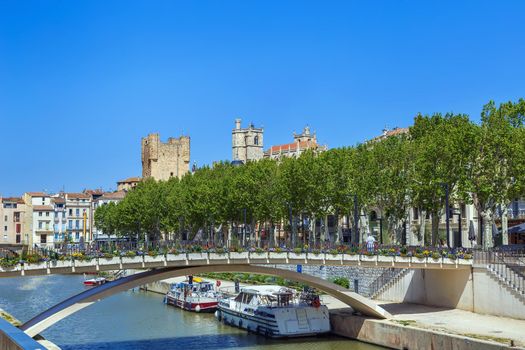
{"x": 396, "y": 336}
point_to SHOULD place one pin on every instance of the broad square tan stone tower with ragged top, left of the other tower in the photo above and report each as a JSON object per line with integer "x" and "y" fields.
{"x": 164, "y": 160}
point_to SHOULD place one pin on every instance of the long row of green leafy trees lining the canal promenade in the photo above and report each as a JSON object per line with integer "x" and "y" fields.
{"x": 481, "y": 163}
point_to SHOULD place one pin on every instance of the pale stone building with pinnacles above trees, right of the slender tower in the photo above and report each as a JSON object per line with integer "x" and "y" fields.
{"x": 302, "y": 142}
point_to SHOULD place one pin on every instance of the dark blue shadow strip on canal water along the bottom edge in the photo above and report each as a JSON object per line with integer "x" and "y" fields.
{"x": 208, "y": 342}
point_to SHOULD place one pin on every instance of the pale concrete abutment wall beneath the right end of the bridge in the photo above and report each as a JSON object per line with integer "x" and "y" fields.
{"x": 473, "y": 290}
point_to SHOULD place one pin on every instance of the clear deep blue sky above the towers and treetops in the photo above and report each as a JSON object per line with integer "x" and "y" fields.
{"x": 82, "y": 81}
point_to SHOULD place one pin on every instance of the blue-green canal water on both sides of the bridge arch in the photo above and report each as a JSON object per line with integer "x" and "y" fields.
{"x": 138, "y": 320}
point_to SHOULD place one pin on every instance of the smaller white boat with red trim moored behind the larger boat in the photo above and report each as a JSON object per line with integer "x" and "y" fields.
{"x": 198, "y": 296}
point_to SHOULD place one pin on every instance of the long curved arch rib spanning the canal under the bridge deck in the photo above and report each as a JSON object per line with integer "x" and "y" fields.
{"x": 77, "y": 302}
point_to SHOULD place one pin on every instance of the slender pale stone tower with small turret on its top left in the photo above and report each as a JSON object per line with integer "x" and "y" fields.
{"x": 247, "y": 143}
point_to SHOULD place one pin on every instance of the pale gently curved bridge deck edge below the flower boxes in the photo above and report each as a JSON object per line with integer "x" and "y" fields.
{"x": 243, "y": 258}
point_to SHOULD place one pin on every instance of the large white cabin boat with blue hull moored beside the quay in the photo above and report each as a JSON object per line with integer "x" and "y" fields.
{"x": 275, "y": 312}
